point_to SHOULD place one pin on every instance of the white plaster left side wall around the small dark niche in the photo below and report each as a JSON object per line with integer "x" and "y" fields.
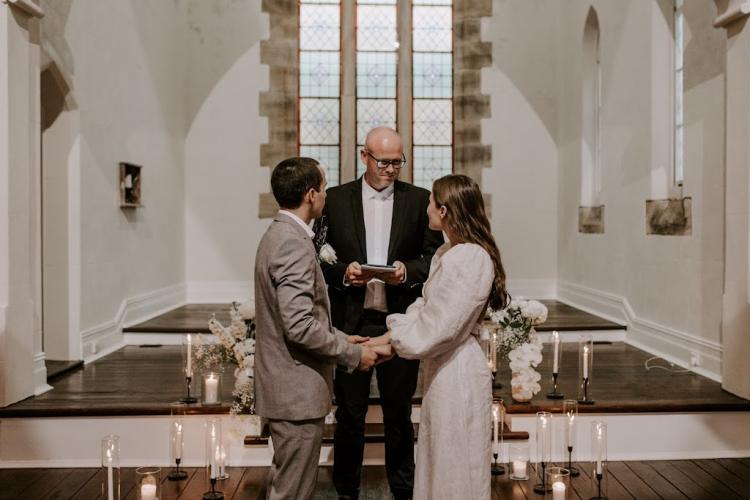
{"x": 127, "y": 62}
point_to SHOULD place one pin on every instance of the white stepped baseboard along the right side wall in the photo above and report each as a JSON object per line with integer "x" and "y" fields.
{"x": 661, "y": 340}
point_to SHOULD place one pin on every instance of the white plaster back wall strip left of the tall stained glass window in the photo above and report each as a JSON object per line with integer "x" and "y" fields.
{"x": 222, "y": 146}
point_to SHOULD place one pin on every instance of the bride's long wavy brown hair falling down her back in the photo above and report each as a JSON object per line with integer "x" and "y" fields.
{"x": 466, "y": 218}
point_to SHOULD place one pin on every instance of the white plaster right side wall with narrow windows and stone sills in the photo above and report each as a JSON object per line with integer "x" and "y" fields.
{"x": 672, "y": 282}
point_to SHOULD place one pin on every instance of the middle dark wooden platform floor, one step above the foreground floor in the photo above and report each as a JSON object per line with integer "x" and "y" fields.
{"x": 145, "y": 380}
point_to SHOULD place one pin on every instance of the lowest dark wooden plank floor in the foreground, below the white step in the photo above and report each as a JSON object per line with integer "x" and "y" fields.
{"x": 693, "y": 479}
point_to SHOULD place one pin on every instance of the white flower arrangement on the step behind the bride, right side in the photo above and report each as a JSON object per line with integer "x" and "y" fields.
{"x": 518, "y": 341}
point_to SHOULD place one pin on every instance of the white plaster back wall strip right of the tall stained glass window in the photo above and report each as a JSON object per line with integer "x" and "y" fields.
{"x": 522, "y": 180}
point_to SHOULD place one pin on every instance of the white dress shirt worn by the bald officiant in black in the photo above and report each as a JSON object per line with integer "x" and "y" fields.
{"x": 378, "y": 213}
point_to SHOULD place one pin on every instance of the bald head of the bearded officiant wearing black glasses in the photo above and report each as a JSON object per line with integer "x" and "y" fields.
{"x": 382, "y": 143}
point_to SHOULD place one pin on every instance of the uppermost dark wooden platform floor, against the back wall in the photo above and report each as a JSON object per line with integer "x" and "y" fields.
{"x": 193, "y": 318}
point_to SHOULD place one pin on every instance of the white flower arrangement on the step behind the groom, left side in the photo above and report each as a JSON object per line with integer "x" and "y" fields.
{"x": 237, "y": 346}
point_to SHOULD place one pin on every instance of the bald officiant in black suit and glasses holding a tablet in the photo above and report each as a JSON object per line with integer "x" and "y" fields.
{"x": 376, "y": 220}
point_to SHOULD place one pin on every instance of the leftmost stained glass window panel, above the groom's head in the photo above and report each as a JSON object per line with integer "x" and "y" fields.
{"x": 319, "y": 84}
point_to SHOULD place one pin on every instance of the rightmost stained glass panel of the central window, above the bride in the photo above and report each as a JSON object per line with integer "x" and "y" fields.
{"x": 432, "y": 90}
